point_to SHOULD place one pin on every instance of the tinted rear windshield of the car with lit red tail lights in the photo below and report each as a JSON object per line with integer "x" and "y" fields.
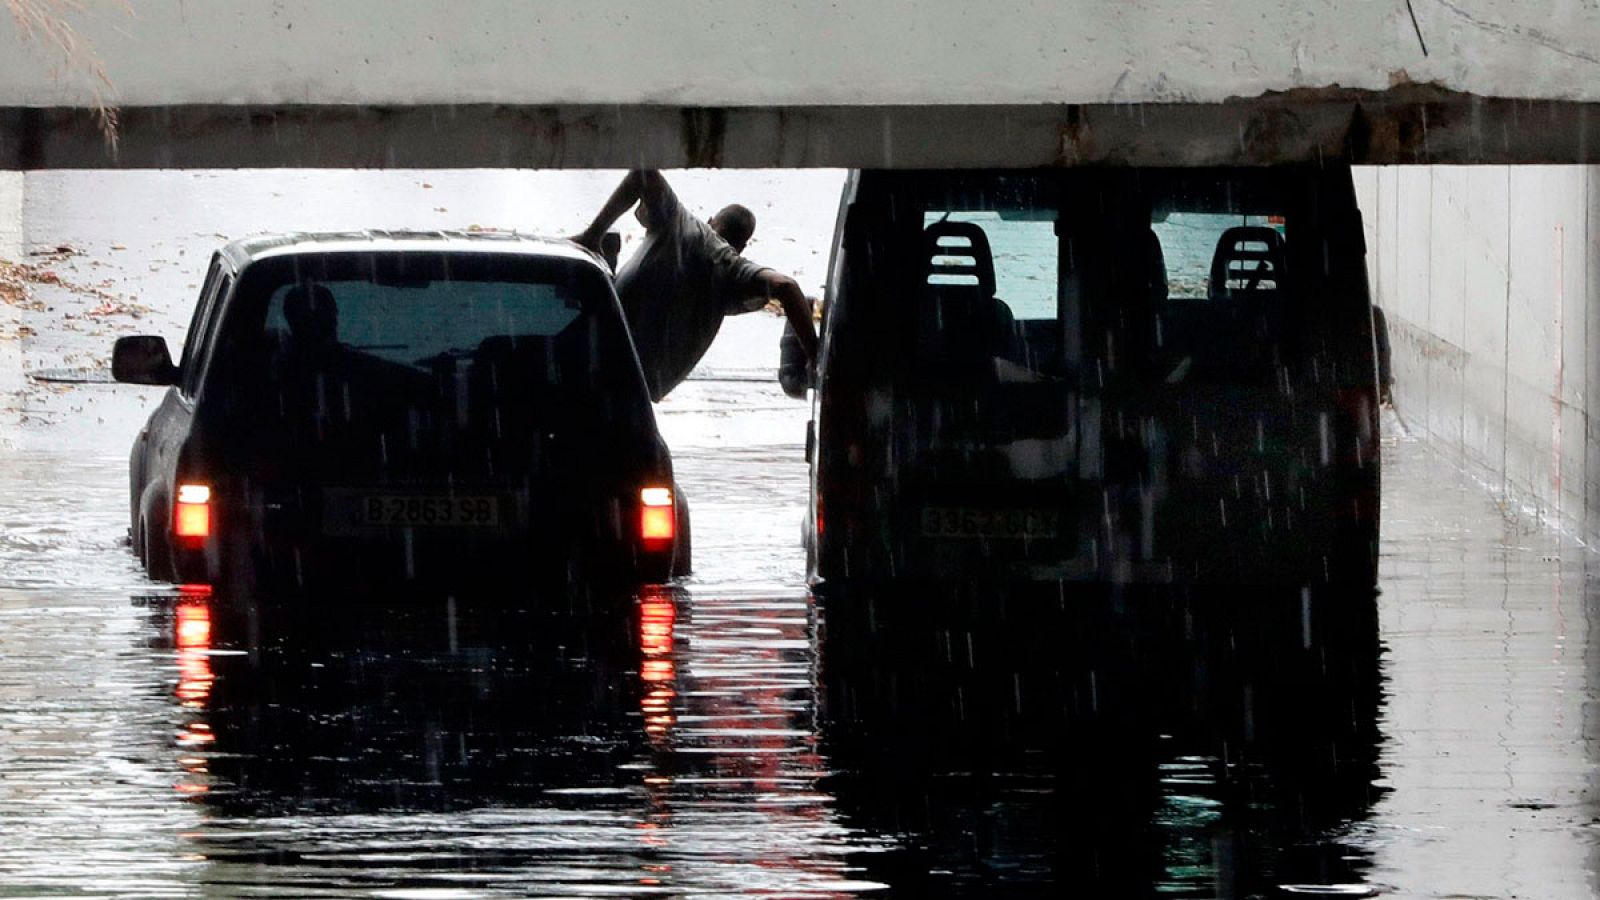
{"x": 426, "y": 345}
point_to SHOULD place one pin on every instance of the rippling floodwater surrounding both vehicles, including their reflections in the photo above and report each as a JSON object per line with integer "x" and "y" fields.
{"x": 740, "y": 737}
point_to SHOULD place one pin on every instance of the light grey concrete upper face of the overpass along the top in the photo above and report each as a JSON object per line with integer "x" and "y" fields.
{"x": 847, "y": 52}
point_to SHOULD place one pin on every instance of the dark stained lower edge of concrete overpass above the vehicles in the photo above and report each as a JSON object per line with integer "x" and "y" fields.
{"x": 1410, "y": 124}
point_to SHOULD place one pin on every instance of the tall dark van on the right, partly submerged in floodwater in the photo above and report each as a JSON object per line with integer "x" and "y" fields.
{"x": 1098, "y": 376}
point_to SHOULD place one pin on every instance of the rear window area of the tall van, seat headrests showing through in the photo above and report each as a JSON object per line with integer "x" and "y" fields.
{"x": 1156, "y": 276}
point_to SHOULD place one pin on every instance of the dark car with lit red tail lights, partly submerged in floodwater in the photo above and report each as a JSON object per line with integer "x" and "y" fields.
{"x": 402, "y": 409}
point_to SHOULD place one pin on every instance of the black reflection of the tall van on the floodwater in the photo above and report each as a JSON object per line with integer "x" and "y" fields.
{"x": 1121, "y": 745}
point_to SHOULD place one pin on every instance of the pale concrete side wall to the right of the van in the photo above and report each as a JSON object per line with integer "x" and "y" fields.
{"x": 1490, "y": 278}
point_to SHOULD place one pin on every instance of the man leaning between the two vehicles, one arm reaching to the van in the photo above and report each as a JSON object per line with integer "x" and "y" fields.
{"x": 687, "y": 276}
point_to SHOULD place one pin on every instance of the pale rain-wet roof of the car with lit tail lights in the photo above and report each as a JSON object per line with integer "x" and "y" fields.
{"x": 270, "y": 246}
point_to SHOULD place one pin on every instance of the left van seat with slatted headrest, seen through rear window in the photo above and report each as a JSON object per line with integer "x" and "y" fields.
{"x": 961, "y": 324}
